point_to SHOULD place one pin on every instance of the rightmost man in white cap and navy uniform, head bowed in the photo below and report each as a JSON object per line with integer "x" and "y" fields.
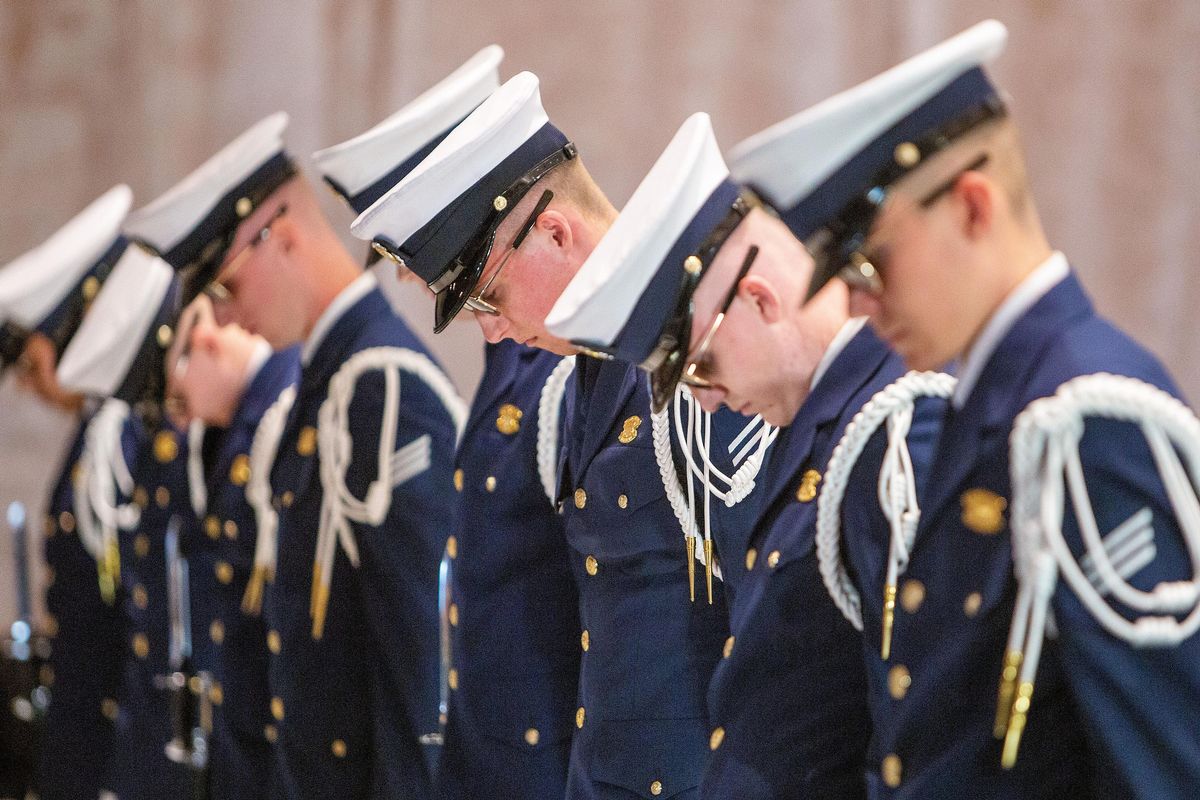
{"x": 920, "y": 183}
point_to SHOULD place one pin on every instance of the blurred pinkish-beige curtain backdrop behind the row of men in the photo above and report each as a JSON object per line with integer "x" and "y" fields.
{"x": 95, "y": 93}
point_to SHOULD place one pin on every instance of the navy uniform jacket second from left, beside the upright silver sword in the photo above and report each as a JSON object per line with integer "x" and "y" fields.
{"x": 158, "y": 461}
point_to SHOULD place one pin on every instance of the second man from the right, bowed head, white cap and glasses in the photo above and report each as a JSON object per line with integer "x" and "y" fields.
{"x": 700, "y": 284}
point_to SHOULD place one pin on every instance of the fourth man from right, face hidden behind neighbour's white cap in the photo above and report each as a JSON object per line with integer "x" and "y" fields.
{"x": 513, "y": 613}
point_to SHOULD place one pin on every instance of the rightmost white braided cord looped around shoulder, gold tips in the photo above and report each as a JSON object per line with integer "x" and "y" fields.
{"x": 1046, "y": 467}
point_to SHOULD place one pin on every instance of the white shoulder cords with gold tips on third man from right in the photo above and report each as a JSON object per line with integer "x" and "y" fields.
{"x": 694, "y": 431}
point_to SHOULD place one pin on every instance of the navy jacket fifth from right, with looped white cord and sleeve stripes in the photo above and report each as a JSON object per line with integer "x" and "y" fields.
{"x": 350, "y": 708}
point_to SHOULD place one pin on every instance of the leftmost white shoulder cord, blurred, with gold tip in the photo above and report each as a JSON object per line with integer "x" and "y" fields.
{"x": 103, "y": 478}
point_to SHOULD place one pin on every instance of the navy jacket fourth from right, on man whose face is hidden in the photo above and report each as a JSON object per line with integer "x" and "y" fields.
{"x": 514, "y": 615}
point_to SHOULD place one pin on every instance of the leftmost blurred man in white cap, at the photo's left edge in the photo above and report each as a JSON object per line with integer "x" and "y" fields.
{"x": 44, "y": 297}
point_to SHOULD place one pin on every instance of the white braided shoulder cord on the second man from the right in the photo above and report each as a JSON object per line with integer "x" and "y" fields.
{"x": 897, "y": 494}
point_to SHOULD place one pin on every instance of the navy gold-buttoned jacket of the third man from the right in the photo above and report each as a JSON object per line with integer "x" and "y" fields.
{"x": 649, "y": 651}
